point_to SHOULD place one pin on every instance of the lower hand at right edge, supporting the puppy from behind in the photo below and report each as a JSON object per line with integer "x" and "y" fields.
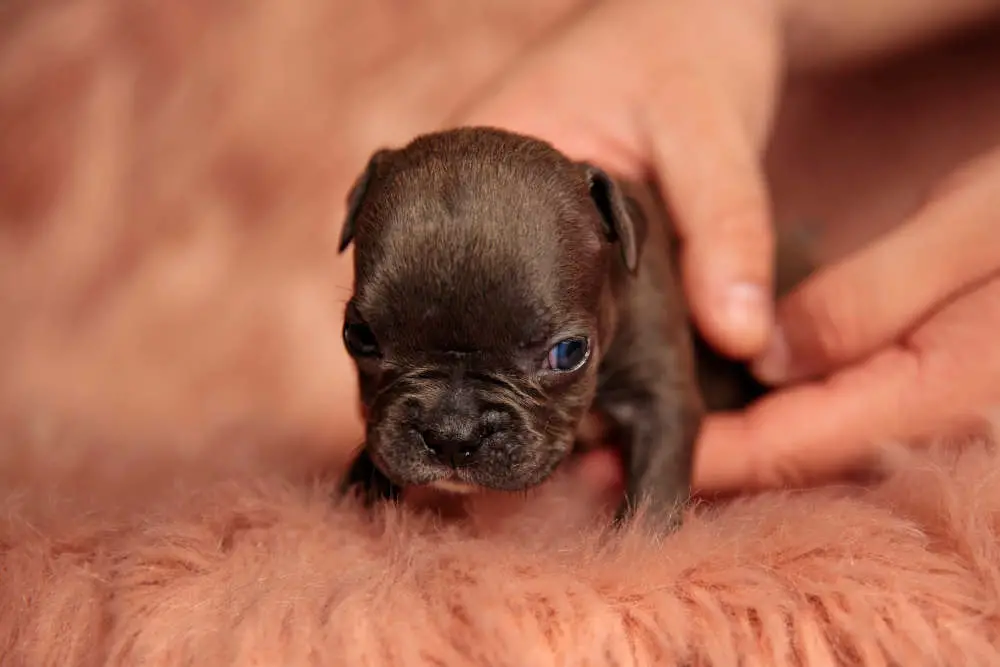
{"x": 896, "y": 342}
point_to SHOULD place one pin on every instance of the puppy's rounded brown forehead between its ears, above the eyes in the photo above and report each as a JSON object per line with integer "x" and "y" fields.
{"x": 477, "y": 242}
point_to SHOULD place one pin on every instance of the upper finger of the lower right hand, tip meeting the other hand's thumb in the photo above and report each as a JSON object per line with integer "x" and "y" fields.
{"x": 861, "y": 303}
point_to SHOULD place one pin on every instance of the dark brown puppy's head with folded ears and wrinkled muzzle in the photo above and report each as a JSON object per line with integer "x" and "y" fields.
{"x": 484, "y": 269}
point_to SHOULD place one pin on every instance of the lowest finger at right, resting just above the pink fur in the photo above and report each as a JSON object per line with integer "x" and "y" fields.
{"x": 945, "y": 376}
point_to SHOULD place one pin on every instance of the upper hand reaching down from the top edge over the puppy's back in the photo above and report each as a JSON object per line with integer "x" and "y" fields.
{"x": 682, "y": 93}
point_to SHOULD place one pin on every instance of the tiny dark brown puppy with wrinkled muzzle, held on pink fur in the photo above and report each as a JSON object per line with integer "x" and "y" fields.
{"x": 503, "y": 292}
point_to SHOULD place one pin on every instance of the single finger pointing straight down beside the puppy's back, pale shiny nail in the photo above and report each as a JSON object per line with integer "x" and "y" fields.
{"x": 709, "y": 168}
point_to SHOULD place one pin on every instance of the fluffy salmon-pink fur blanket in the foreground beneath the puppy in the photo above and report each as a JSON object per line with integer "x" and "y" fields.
{"x": 270, "y": 572}
